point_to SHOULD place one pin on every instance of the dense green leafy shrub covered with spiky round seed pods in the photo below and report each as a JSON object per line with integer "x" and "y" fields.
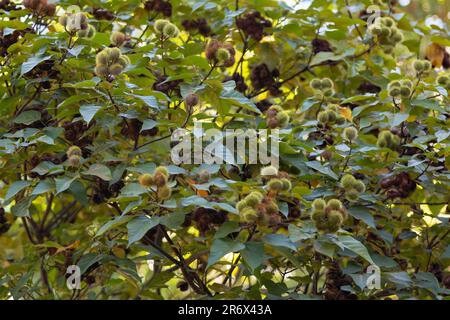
{"x": 88, "y": 108}
